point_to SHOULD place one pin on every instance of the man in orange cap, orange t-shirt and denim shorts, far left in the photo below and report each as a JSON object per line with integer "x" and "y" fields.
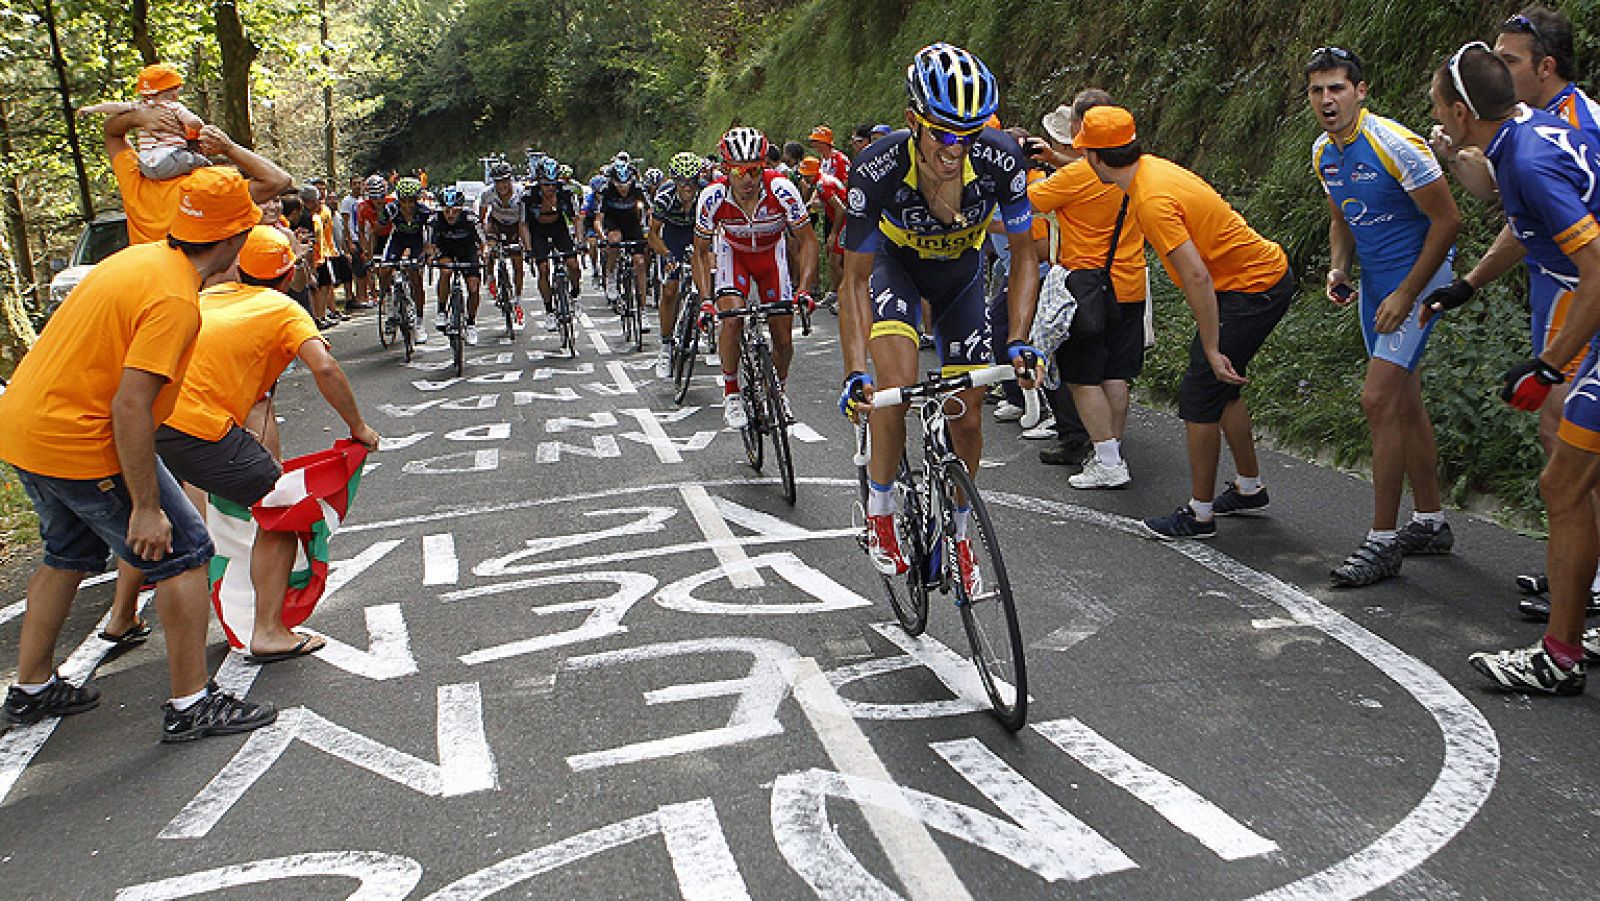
{"x": 81, "y": 430}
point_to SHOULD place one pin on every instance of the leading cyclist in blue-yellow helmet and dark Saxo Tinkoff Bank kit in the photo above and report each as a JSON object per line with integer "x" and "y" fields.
{"x": 918, "y": 210}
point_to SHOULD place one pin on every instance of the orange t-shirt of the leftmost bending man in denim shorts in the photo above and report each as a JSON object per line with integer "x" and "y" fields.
{"x": 135, "y": 311}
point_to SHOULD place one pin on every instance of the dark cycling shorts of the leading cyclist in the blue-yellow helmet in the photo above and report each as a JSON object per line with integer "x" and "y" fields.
{"x": 954, "y": 290}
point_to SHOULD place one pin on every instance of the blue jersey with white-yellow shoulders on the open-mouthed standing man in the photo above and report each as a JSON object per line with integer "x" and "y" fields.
{"x": 1372, "y": 178}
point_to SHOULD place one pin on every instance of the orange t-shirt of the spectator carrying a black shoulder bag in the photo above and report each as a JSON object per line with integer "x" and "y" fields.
{"x": 1087, "y": 214}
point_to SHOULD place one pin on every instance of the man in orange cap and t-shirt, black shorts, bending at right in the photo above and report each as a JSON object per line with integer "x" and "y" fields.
{"x": 1239, "y": 287}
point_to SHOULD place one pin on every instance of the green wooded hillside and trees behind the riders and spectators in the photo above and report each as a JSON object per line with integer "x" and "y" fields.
{"x": 436, "y": 84}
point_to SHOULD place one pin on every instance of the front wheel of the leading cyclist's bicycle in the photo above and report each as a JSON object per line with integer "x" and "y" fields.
{"x": 988, "y": 609}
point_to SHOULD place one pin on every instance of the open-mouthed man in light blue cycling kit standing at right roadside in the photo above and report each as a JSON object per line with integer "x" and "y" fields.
{"x": 1391, "y": 210}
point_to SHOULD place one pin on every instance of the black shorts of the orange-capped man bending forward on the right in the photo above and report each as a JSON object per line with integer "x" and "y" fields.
{"x": 1244, "y": 326}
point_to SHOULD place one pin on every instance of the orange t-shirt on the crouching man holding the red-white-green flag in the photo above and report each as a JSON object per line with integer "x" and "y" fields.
{"x": 247, "y": 337}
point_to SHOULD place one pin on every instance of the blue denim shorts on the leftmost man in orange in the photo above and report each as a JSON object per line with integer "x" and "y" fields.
{"x": 84, "y": 521}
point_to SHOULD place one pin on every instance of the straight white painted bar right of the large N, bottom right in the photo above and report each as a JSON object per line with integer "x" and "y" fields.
{"x": 1177, "y": 803}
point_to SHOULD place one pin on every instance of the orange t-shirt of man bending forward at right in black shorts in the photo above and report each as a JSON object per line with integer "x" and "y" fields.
{"x": 1175, "y": 206}
